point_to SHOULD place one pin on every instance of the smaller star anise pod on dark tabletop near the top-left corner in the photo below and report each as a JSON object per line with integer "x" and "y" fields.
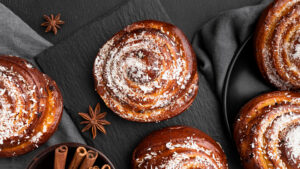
{"x": 52, "y": 23}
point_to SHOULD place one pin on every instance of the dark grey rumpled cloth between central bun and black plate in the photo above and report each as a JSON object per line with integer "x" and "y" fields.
{"x": 218, "y": 40}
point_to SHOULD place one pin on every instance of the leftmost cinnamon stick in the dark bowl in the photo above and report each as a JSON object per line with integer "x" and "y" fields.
{"x": 60, "y": 157}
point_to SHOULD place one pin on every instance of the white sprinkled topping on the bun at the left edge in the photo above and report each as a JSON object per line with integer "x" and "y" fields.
{"x": 11, "y": 122}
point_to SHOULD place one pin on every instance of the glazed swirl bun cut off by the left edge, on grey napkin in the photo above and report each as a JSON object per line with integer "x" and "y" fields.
{"x": 30, "y": 106}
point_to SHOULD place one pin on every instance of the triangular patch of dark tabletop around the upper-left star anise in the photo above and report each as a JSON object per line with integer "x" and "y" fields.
{"x": 76, "y": 13}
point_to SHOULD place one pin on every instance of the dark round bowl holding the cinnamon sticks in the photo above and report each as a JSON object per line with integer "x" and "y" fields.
{"x": 45, "y": 159}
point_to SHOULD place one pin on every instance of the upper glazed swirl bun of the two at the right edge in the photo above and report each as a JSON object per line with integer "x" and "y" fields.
{"x": 277, "y": 44}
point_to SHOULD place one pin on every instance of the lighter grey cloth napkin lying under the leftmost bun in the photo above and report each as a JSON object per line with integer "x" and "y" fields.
{"x": 18, "y": 39}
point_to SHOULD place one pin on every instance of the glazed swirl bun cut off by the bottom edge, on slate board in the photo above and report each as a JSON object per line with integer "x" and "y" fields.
{"x": 178, "y": 147}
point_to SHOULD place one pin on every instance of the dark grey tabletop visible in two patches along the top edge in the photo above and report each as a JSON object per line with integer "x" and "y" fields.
{"x": 78, "y": 13}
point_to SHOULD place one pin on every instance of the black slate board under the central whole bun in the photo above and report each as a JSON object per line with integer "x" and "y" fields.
{"x": 70, "y": 64}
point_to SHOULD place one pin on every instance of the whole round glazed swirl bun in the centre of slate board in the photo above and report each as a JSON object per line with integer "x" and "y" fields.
{"x": 147, "y": 72}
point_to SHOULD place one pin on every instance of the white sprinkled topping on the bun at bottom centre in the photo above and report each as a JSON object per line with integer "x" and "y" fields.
{"x": 178, "y": 159}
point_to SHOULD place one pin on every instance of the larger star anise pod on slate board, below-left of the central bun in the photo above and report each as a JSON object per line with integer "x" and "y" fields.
{"x": 95, "y": 120}
